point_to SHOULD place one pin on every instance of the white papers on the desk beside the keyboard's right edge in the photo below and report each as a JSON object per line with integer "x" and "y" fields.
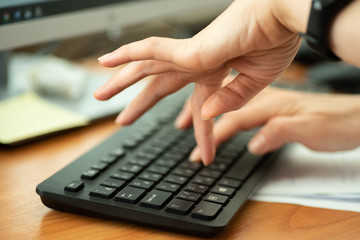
{"x": 318, "y": 179}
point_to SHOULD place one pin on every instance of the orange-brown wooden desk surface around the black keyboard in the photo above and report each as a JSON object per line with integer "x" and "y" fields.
{"x": 23, "y": 216}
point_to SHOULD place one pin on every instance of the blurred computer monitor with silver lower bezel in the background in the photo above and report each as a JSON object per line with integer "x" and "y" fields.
{"x": 28, "y": 22}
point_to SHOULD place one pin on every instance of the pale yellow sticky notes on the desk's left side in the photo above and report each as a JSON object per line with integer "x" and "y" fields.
{"x": 28, "y": 115}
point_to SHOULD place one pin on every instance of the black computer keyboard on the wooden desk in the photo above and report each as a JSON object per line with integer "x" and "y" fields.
{"x": 142, "y": 174}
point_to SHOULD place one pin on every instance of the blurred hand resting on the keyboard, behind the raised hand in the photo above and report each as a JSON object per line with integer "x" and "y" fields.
{"x": 324, "y": 122}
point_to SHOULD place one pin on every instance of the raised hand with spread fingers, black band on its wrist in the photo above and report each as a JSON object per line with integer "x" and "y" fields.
{"x": 247, "y": 37}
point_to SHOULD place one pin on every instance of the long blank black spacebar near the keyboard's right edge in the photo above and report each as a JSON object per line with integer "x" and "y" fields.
{"x": 243, "y": 166}
